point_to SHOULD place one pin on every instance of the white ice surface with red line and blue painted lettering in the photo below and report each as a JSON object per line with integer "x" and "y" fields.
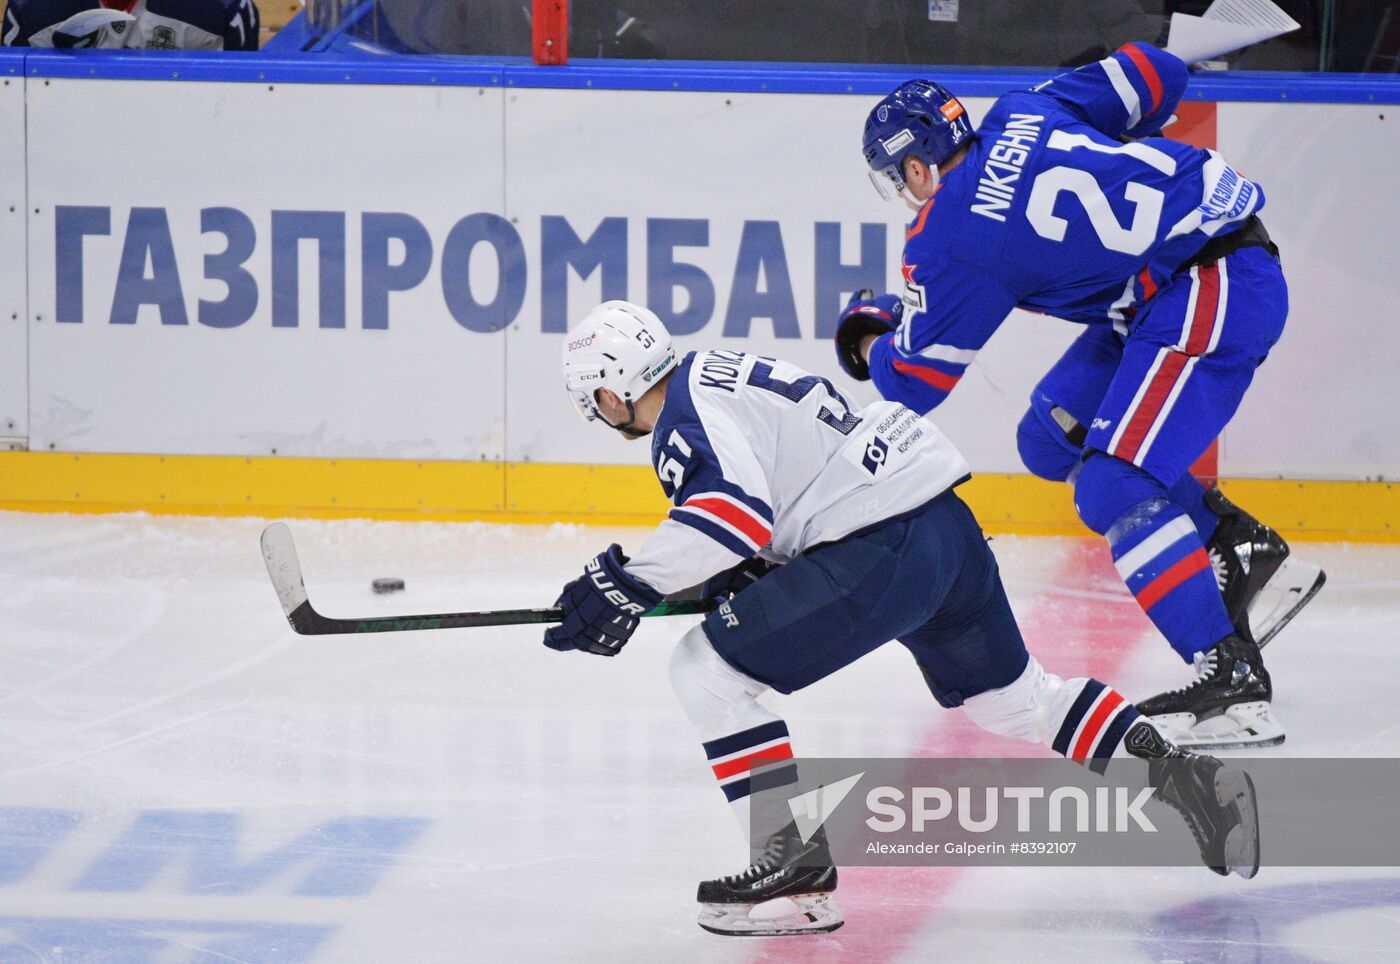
{"x": 185, "y": 780}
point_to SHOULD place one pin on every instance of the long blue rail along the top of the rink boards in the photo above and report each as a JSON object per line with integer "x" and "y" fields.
{"x": 346, "y": 65}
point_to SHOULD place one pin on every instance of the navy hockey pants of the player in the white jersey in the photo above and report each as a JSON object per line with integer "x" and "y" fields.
{"x": 927, "y": 580}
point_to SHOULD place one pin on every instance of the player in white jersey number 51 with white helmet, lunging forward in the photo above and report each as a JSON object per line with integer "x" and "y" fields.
{"x": 828, "y": 530}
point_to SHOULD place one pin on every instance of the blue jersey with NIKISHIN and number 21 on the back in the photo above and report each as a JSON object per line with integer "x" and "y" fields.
{"x": 1055, "y": 209}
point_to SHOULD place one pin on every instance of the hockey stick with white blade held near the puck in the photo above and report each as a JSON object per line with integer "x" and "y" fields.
{"x": 281, "y": 556}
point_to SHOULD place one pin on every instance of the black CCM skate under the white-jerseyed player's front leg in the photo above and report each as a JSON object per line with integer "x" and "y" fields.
{"x": 787, "y": 892}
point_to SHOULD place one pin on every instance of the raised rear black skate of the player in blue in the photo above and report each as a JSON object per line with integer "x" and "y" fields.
{"x": 1263, "y": 588}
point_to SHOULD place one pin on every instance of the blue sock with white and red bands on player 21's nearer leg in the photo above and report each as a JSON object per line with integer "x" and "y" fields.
{"x": 1158, "y": 552}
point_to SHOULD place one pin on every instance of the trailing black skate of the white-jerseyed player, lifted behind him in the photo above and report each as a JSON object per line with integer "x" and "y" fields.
{"x": 1217, "y": 802}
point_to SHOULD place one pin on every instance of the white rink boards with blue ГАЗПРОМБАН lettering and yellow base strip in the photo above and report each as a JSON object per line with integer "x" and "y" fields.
{"x": 352, "y": 286}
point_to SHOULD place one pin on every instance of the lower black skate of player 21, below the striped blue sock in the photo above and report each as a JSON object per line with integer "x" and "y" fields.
{"x": 1227, "y": 706}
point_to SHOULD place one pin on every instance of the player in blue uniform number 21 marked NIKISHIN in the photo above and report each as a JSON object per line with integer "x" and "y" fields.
{"x": 1055, "y": 205}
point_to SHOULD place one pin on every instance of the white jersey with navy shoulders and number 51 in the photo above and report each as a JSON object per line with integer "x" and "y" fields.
{"x": 757, "y": 454}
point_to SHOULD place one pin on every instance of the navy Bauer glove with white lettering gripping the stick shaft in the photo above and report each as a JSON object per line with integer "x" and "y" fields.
{"x": 601, "y": 608}
